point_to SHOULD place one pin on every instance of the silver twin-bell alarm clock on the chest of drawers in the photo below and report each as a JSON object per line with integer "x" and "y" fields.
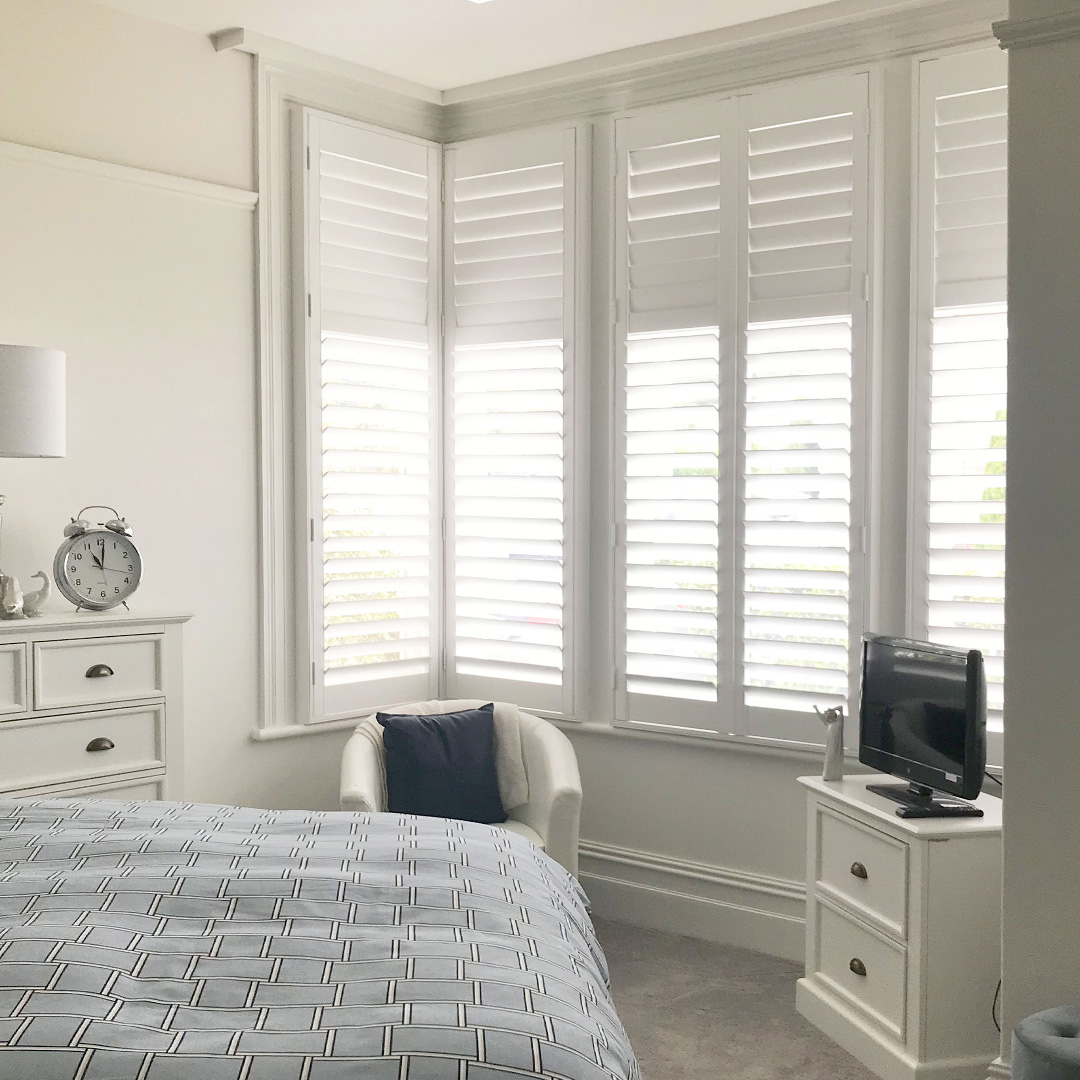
{"x": 98, "y": 566}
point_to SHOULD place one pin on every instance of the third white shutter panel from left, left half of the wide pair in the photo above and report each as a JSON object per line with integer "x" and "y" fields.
{"x": 670, "y": 192}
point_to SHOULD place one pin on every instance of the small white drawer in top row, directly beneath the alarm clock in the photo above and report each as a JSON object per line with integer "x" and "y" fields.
{"x": 97, "y": 671}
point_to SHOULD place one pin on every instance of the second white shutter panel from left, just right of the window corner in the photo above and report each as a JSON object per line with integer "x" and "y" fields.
{"x": 509, "y": 329}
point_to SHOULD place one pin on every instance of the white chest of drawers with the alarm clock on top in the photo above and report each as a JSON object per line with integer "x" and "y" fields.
{"x": 92, "y": 705}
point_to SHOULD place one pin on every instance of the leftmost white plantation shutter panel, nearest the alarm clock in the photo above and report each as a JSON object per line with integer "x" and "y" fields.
{"x": 371, "y": 266}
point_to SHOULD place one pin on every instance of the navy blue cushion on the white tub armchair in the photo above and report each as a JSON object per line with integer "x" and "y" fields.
{"x": 443, "y": 766}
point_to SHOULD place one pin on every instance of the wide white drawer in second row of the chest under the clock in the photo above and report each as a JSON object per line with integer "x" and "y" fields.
{"x": 34, "y": 753}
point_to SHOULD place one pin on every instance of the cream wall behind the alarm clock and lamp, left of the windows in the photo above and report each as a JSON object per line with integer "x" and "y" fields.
{"x": 152, "y": 294}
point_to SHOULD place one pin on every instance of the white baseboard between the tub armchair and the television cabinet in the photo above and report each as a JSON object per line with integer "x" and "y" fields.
{"x": 714, "y": 903}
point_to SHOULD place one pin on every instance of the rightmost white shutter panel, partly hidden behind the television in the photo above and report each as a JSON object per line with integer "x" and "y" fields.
{"x": 960, "y": 555}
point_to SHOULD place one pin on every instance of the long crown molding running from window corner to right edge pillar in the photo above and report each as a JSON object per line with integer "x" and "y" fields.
{"x": 820, "y": 40}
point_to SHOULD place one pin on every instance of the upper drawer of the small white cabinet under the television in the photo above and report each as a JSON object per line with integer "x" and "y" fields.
{"x": 865, "y": 869}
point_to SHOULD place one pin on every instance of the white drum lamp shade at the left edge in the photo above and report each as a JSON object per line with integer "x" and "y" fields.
{"x": 33, "y": 402}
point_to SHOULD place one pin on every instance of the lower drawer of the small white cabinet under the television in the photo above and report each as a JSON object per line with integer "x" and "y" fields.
{"x": 863, "y": 967}
